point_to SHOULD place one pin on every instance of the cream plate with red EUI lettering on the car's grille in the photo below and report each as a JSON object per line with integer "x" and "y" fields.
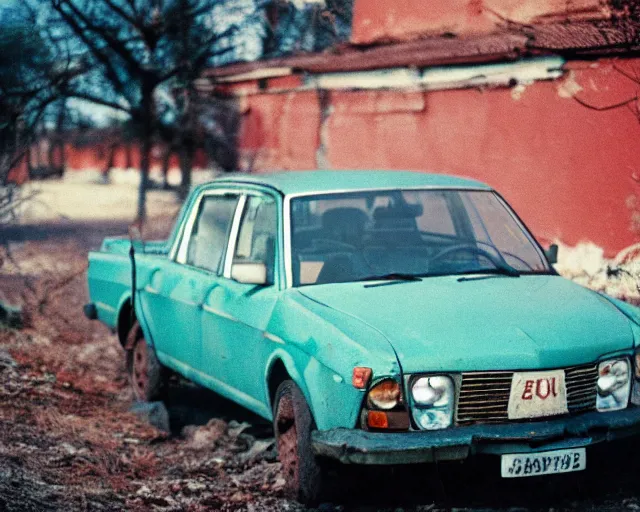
{"x": 537, "y": 394}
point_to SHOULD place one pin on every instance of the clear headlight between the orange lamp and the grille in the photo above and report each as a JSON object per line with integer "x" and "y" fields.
{"x": 433, "y": 399}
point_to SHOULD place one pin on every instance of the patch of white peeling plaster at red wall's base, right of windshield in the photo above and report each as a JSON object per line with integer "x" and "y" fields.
{"x": 586, "y": 265}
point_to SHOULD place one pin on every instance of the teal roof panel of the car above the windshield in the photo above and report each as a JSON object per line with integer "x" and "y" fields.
{"x": 303, "y": 182}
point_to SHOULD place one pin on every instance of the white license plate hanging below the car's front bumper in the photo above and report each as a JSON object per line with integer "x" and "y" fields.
{"x": 543, "y": 463}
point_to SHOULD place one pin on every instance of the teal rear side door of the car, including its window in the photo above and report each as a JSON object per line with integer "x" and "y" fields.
{"x": 176, "y": 290}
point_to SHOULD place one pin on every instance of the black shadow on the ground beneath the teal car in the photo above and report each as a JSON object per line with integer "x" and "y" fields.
{"x": 610, "y": 482}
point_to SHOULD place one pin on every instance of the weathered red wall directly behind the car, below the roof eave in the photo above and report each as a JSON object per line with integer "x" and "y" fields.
{"x": 568, "y": 170}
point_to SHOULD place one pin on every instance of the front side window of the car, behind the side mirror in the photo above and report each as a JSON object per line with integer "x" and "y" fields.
{"x": 257, "y": 235}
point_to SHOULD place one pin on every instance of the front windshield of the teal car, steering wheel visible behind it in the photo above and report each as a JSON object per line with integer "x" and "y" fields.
{"x": 359, "y": 236}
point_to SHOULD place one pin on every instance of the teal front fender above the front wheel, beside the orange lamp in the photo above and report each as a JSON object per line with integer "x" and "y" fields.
{"x": 319, "y": 348}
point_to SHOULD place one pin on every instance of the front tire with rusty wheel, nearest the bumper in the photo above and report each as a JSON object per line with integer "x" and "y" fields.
{"x": 293, "y": 423}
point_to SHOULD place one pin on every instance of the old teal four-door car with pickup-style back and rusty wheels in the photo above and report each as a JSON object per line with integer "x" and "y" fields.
{"x": 375, "y": 318}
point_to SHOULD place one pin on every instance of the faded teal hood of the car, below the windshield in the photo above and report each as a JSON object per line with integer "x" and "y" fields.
{"x": 489, "y": 322}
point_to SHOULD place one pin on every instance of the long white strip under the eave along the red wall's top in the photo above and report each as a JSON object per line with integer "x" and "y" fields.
{"x": 453, "y": 77}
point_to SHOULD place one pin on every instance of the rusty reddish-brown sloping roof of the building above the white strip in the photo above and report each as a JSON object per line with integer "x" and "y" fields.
{"x": 576, "y": 39}
